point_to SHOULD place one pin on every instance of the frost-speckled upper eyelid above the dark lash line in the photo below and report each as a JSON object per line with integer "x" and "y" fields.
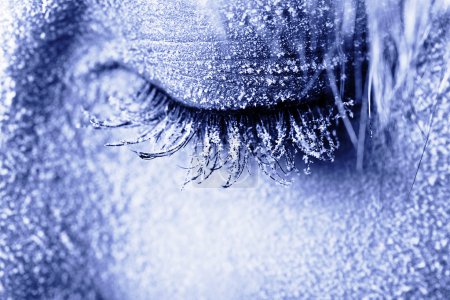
{"x": 238, "y": 54}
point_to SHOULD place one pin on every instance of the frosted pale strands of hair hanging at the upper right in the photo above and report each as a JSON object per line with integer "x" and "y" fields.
{"x": 398, "y": 31}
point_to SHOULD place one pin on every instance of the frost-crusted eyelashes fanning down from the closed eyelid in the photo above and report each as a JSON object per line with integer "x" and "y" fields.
{"x": 221, "y": 140}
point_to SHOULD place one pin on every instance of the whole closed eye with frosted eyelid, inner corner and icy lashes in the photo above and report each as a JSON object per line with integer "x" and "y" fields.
{"x": 261, "y": 94}
